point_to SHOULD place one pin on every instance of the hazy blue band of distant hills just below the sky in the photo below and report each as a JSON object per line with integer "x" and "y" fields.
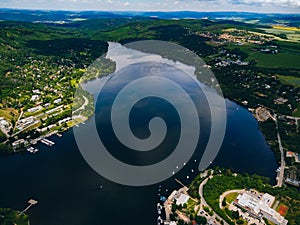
{"x": 45, "y": 16}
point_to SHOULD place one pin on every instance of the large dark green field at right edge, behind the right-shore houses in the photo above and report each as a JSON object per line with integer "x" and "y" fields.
{"x": 280, "y": 60}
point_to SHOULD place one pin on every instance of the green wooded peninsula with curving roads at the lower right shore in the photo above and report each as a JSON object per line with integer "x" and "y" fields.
{"x": 218, "y": 200}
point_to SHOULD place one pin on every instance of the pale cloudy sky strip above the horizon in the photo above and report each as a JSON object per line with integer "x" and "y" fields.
{"x": 159, "y": 5}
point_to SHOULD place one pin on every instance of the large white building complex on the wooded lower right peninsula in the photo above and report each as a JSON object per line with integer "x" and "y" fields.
{"x": 260, "y": 206}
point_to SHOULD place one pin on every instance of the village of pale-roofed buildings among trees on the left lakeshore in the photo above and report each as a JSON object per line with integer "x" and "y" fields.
{"x": 44, "y": 109}
